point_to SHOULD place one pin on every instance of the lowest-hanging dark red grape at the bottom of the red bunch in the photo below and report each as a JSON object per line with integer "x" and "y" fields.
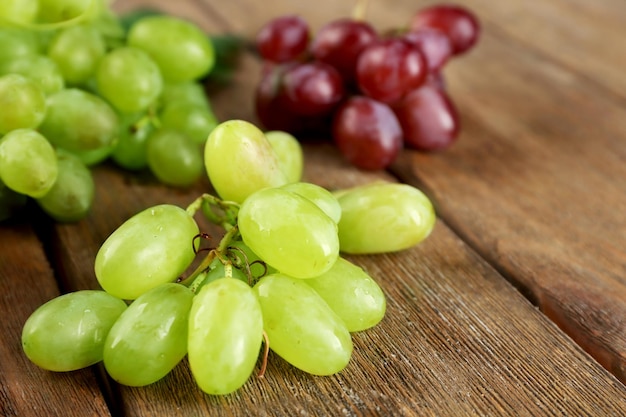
{"x": 367, "y": 133}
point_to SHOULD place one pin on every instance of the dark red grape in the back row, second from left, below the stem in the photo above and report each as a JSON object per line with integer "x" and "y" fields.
{"x": 340, "y": 42}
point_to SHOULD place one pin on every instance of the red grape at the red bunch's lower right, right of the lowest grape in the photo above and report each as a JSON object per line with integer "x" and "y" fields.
{"x": 428, "y": 118}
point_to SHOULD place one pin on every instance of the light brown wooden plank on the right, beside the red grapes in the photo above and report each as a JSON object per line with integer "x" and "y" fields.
{"x": 536, "y": 185}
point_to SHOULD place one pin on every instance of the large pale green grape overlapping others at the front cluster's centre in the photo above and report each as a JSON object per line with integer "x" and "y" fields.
{"x": 289, "y": 232}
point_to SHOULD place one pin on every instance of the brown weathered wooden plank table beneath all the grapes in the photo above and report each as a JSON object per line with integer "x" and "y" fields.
{"x": 515, "y": 305}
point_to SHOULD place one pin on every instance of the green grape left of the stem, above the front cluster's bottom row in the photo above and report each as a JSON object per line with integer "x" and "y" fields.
{"x": 151, "y": 248}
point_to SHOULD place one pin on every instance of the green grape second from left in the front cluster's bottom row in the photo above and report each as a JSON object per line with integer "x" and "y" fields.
{"x": 150, "y": 338}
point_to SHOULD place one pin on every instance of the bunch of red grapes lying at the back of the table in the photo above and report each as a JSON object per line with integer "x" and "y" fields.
{"x": 372, "y": 93}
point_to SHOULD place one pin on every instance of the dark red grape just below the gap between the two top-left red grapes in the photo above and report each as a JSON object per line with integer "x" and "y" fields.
{"x": 313, "y": 88}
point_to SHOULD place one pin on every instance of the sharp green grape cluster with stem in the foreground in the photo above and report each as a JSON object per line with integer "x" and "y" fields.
{"x": 278, "y": 274}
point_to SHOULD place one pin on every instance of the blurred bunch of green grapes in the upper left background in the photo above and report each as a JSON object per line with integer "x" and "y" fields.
{"x": 77, "y": 86}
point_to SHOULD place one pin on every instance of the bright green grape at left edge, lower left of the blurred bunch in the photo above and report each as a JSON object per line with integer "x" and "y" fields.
{"x": 28, "y": 163}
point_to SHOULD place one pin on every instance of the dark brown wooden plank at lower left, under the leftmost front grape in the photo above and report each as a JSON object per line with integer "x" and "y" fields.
{"x": 26, "y": 282}
